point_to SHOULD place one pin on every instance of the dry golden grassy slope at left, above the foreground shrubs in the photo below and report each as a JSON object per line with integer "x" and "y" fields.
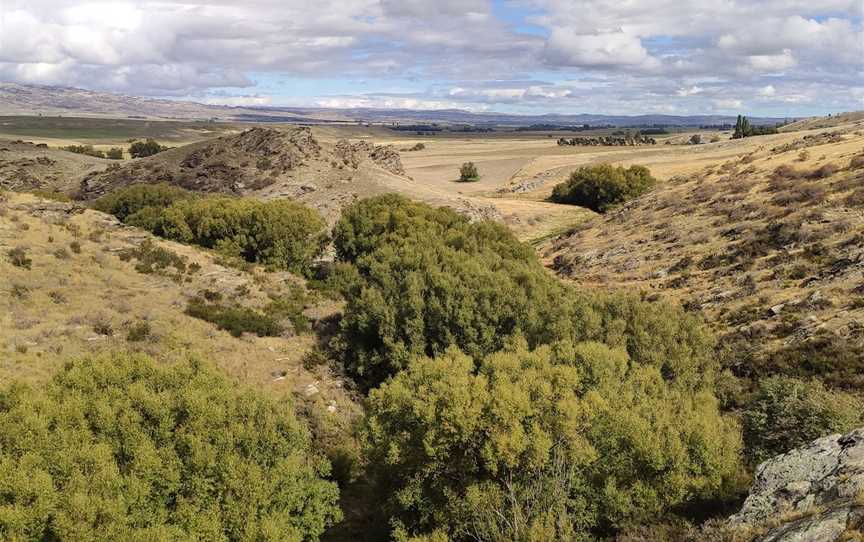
{"x": 86, "y": 282}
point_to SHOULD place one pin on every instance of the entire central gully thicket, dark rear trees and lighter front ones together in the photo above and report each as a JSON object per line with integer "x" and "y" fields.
{"x": 494, "y": 387}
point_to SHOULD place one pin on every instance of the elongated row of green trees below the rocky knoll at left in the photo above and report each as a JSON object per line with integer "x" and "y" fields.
{"x": 281, "y": 234}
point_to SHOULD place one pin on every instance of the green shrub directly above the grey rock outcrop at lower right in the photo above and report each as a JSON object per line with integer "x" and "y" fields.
{"x": 788, "y": 412}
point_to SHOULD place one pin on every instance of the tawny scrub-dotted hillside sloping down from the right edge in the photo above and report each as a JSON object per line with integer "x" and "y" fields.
{"x": 770, "y": 246}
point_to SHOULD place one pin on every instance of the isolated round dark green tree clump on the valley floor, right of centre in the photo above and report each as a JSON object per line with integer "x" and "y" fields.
{"x": 600, "y": 187}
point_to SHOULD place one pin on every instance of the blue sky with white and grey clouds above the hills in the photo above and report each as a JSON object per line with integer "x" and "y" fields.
{"x": 763, "y": 57}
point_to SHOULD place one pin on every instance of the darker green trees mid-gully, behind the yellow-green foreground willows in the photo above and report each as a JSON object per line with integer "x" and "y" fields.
{"x": 423, "y": 279}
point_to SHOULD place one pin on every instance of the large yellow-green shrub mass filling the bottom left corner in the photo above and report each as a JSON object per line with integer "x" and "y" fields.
{"x": 121, "y": 448}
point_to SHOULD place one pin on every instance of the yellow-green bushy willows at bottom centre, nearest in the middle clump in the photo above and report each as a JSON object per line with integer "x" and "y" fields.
{"x": 545, "y": 445}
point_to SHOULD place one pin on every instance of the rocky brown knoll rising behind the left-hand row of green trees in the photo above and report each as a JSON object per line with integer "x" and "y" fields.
{"x": 264, "y": 162}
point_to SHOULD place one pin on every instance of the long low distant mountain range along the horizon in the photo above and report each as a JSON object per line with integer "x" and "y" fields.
{"x": 18, "y": 99}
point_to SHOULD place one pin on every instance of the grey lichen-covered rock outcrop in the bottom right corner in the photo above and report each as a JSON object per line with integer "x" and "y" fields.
{"x": 818, "y": 489}
